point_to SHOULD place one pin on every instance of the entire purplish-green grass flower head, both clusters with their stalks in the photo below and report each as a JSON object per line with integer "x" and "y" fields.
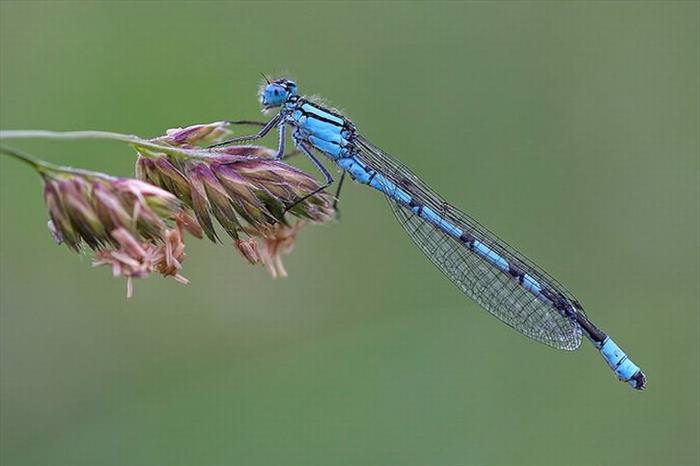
{"x": 136, "y": 225}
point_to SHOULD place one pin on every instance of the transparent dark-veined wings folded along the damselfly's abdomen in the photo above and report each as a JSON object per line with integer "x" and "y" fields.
{"x": 547, "y": 316}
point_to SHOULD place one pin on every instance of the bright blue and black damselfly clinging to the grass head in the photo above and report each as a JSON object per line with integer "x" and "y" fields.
{"x": 485, "y": 268}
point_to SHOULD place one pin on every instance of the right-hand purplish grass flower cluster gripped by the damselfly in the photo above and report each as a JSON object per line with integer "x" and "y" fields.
{"x": 253, "y": 197}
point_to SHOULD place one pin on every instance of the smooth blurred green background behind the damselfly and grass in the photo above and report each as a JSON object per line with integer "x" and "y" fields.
{"x": 571, "y": 129}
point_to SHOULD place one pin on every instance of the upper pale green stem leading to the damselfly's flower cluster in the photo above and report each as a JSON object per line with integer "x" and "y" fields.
{"x": 135, "y": 141}
